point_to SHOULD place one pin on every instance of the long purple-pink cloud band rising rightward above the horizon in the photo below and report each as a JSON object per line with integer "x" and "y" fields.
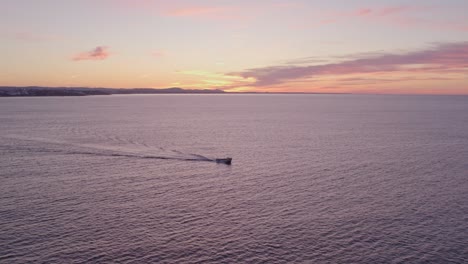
{"x": 448, "y": 57}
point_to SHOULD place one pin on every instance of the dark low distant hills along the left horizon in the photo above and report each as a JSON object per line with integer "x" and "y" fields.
{"x": 7, "y": 91}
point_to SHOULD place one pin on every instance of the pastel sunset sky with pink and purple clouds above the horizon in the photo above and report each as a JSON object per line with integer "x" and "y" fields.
{"x": 333, "y": 46}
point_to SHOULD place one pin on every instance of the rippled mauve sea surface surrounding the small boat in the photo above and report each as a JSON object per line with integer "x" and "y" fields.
{"x": 314, "y": 179}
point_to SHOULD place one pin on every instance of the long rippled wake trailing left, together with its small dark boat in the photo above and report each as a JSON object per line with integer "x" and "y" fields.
{"x": 69, "y": 148}
